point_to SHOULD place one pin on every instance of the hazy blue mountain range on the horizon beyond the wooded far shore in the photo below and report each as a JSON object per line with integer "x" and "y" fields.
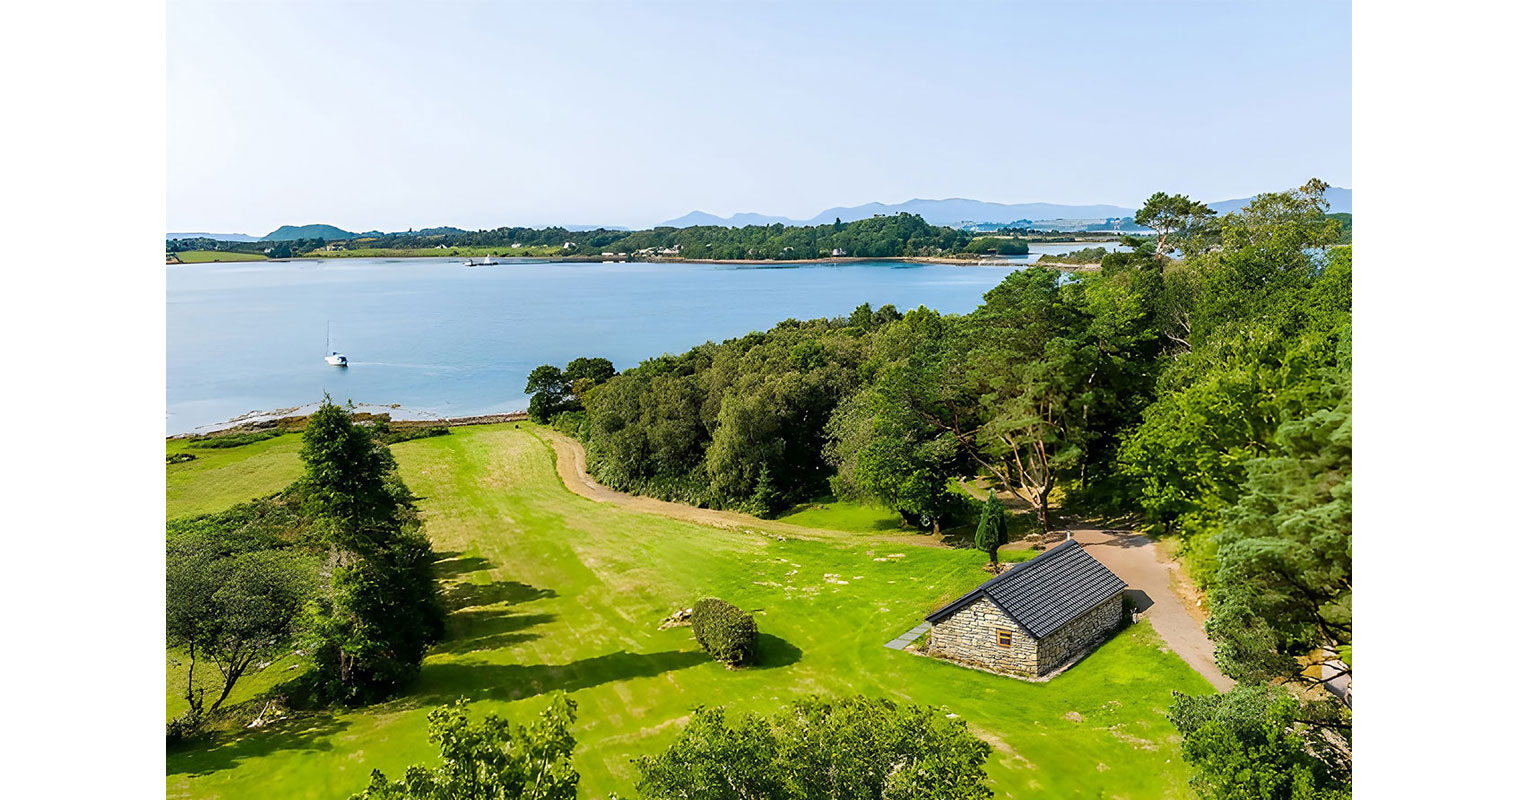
{"x": 963, "y": 212}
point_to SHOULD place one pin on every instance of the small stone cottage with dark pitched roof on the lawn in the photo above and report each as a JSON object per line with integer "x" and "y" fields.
{"x": 1033, "y": 620}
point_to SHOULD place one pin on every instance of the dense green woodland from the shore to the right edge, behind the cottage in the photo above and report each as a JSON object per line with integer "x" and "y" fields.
{"x": 1205, "y": 383}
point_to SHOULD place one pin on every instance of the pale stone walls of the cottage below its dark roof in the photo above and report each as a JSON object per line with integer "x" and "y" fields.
{"x": 971, "y": 637}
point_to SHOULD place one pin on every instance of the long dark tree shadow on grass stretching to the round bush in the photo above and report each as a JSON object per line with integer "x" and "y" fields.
{"x": 448, "y": 682}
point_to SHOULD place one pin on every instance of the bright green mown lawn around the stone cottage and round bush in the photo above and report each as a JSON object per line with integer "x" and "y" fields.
{"x": 557, "y": 592}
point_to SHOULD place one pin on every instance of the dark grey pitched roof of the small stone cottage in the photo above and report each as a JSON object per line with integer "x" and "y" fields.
{"x": 1045, "y": 592}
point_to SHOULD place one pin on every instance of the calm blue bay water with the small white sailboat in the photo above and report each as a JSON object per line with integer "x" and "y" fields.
{"x": 443, "y": 340}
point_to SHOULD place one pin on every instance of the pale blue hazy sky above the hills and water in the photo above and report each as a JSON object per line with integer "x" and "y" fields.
{"x": 480, "y": 115}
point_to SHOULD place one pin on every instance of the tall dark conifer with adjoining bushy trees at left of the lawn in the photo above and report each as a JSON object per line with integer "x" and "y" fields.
{"x": 335, "y": 565}
